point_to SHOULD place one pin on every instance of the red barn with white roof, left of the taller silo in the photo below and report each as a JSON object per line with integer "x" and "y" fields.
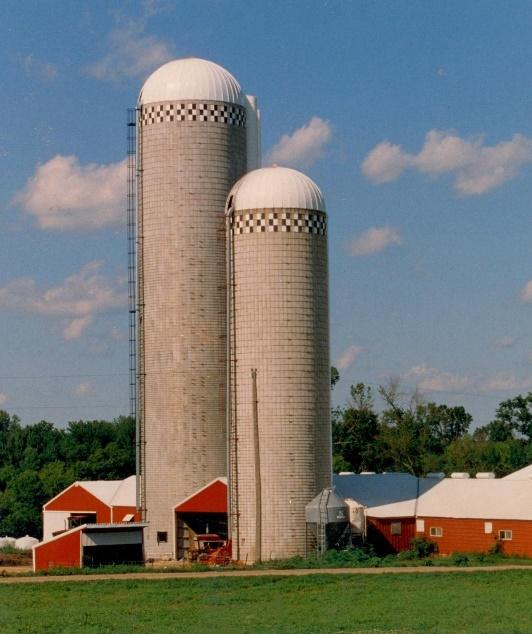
{"x": 90, "y": 502}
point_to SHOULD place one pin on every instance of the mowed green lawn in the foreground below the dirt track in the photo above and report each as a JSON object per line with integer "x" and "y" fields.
{"x": 452, "y": 602}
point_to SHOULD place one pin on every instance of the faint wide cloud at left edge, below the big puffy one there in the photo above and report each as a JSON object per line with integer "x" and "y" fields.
{"x": 78, "y": 299}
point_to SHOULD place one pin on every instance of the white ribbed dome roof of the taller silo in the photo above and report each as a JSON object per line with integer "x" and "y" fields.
{"x": 191, "y": 78}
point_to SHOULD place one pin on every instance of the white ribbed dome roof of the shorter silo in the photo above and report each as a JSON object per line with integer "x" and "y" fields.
{"x": 277, "y": 188}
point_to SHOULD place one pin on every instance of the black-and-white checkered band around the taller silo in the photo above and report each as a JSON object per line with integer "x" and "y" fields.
{"x": 231, "y": 114}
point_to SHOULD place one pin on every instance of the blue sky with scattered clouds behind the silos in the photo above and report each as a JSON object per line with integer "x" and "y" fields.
{"x": 413, "y": 117}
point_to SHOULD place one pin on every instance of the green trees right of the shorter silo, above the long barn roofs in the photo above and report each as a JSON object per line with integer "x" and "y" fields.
{"x": 411, "y": 435}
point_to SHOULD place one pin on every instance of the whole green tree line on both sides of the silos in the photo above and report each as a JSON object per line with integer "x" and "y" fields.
{"x": 405, "y": 433}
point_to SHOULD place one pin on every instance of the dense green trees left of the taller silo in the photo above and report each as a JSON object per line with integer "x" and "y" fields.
{"x": 38, "y": 461}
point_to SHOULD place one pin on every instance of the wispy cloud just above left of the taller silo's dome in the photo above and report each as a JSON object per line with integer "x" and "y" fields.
{"x": 131, "y": 52}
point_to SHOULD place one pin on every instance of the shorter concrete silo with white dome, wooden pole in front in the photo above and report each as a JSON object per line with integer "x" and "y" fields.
{"x": 280, "y": 380}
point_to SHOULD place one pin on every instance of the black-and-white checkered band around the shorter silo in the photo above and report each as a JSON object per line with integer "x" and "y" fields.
{"x": 266, "y": 221}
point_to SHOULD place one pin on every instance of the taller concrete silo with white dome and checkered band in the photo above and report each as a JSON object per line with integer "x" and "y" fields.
{"x": 192, "y": 147}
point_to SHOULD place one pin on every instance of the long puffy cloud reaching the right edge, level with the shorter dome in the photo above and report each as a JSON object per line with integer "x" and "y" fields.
{"x": 477, "y": 168}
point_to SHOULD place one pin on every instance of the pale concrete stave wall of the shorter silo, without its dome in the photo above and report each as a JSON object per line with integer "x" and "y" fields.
{"x": 281, "y": 329}
